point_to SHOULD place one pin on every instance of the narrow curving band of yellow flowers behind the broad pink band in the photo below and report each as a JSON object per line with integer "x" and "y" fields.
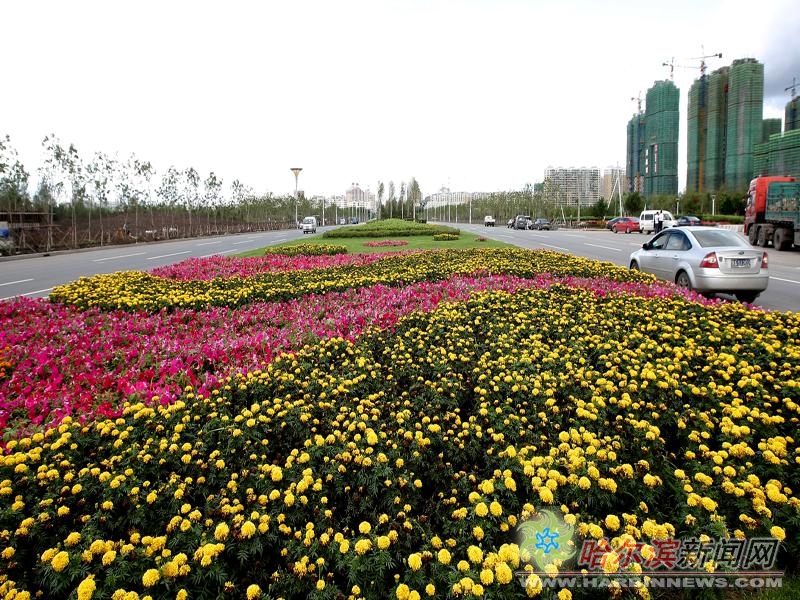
{"x": 133, "y": 290}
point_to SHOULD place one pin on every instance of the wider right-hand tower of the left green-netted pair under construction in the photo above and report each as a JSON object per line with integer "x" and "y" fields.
{"x": 661, "y": 121}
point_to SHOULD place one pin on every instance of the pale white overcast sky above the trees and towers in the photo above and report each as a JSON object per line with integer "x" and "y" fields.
{"x": 482, "y": 95}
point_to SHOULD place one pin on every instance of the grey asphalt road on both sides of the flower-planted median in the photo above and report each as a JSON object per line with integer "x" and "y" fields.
{"x": 35, "y": 276}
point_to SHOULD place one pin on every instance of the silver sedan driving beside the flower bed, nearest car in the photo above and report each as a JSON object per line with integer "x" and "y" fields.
{"x": 709, "y": 260}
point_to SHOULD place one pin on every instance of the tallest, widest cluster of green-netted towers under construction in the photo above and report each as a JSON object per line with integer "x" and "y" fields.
{"x": 724, "y": 123}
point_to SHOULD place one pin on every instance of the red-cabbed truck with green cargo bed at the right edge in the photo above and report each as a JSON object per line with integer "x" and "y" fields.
{"x": 773, "y": 212}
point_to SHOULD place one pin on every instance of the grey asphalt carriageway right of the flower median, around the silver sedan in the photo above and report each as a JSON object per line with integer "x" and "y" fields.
{"x": 783, "y": 292}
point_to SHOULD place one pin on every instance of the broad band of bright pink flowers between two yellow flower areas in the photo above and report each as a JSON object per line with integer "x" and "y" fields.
{"x": 71, "y": 362}
